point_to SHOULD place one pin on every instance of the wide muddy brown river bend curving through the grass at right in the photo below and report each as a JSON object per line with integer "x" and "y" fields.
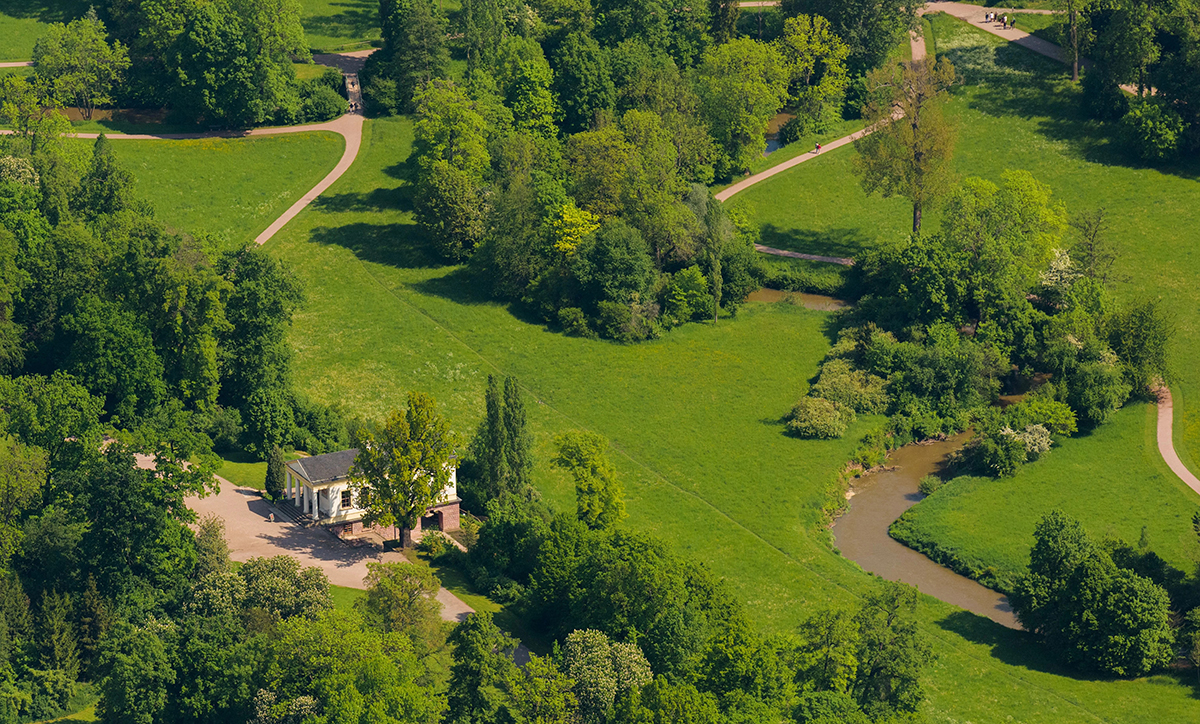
{"x": 862, "y": 534}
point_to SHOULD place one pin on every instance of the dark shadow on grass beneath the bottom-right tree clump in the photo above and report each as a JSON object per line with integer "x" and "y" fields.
{"x": 1023, "y": 649}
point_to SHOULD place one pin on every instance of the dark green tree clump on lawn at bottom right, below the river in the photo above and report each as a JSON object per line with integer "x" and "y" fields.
{"x": 1095, "y": 615}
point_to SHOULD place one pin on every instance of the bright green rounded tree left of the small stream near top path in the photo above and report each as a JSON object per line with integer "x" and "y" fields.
{"x": 741, "y": 85}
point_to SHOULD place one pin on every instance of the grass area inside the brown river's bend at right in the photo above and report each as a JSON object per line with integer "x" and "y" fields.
{"x": 1114, "y": 480}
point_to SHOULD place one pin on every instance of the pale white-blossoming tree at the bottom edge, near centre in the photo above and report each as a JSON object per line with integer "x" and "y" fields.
{"x": 603, "y": 672}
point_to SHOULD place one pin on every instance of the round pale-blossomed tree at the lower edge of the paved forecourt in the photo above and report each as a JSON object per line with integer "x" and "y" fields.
{"x": 279, "y": 587}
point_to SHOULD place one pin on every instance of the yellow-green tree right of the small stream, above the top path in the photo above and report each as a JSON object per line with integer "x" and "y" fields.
{"x": 817, "y": 68}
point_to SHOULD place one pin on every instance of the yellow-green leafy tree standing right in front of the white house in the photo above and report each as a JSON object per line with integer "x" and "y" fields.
{"x": 401, "y": 472}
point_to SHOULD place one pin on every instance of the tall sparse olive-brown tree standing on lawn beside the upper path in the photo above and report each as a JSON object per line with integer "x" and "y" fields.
{"x": 910, "y": 147}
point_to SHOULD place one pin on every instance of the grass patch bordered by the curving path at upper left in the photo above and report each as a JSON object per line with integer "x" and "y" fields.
{"x": 233, "y": 189}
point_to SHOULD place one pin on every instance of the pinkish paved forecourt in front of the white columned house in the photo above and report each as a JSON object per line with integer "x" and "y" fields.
{"x": 250, "y": 534}
